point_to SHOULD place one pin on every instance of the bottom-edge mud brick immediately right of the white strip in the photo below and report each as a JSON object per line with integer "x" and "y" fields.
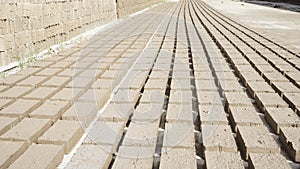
{"x": 91, "y": 156}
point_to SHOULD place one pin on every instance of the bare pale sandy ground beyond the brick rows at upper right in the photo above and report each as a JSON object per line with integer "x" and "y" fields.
{"x": 281, "y": 25}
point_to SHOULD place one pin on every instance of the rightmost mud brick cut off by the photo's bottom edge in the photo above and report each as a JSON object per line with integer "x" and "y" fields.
{"x": 262, "y": 161}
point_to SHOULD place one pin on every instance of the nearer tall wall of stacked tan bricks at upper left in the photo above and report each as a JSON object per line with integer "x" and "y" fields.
{"x": 30, "y": 26}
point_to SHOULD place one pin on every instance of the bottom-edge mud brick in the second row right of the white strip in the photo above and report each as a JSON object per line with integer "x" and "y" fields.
{"x": 134, "y": 157}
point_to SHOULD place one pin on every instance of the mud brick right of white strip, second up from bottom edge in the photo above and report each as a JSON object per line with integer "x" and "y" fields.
{"x": 105, "y": 133}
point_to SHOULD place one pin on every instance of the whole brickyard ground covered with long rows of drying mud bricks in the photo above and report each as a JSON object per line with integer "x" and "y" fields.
{"x": 181, "y": 85}
